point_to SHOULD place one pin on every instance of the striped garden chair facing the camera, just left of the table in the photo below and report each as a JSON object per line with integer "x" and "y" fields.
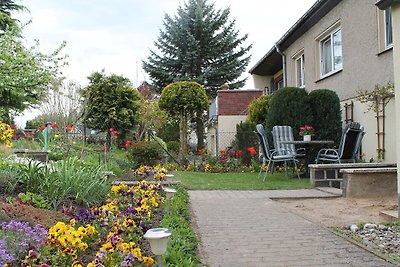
{"x": 285, "y": 133}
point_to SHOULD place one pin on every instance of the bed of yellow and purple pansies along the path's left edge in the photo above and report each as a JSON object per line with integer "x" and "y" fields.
{"x": 108, "y": 235}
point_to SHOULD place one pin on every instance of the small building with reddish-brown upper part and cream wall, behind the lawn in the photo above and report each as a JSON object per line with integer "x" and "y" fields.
{"x": 227, "y": 110}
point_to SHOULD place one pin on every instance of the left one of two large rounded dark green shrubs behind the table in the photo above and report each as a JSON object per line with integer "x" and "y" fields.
{"x": 289, "y": 106}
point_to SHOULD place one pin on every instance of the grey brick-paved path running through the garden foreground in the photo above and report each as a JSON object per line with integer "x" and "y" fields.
{"x": 247, "y": 229}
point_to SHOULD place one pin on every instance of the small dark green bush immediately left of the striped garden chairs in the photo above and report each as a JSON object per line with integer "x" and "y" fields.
{"x": 245, "y": 138}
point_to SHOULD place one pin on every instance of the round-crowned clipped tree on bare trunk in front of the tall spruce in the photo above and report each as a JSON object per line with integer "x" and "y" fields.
{"x": 183, "y": 99}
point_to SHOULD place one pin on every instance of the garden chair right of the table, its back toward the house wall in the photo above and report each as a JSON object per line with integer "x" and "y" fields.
{"x": 349, "y": 146}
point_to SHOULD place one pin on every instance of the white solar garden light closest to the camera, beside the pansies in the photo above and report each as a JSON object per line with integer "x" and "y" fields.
{"x": 158, "y": 239}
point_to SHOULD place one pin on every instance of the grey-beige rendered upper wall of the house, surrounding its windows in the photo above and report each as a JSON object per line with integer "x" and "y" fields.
{"x": 363, "y": 66}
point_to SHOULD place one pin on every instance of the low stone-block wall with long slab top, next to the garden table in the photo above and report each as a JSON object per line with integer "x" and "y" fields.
{"x": 330, "y": 175}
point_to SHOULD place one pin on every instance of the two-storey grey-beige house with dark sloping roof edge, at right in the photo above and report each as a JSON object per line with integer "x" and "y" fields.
{"x": 345, "y": 46}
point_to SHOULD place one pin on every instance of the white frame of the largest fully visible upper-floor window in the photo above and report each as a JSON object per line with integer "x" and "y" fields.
{"x": 329, "y": 41}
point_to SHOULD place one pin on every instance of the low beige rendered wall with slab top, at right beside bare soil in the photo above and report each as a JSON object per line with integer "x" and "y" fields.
{"x": 370, "y": 182}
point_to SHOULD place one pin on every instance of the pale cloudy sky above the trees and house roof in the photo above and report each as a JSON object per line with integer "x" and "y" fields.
{"x": 118, "y": 35}
